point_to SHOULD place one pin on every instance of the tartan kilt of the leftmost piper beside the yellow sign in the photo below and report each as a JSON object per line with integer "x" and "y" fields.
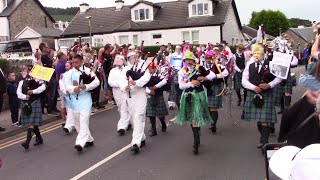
{"x": 35, "y": 118}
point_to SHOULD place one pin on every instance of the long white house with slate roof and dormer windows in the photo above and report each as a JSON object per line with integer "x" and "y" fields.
{"x": 194, "y": 21}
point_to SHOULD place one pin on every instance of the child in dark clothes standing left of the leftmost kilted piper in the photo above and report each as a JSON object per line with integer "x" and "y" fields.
{"x": 13, "y": 98}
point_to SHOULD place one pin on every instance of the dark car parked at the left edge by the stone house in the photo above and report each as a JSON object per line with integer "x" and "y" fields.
{"x": 15, "y": 46}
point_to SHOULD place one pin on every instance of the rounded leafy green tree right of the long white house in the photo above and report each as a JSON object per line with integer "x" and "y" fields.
{"x": 273, "y": 21}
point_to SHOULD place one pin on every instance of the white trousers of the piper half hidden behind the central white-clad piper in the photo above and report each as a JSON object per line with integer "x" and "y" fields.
{"x": 120, "y": 99}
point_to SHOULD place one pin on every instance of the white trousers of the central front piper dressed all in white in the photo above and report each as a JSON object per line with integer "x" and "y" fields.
{"x": 137, "y": 108}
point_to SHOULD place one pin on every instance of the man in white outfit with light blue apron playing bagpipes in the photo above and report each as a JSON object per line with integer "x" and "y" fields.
{"x": 80, "y": 101}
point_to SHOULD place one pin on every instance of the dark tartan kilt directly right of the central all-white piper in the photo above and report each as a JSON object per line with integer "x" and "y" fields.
{"x": 160, "y": 108}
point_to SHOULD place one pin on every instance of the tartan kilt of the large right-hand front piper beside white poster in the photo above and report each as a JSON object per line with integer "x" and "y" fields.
{"x": 265, "y": 114}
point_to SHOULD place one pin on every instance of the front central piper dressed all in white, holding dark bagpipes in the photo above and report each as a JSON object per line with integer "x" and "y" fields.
{"x": 137, "y": 101}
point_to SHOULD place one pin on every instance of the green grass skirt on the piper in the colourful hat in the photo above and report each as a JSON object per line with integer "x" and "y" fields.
{"x": 195, "y": 111}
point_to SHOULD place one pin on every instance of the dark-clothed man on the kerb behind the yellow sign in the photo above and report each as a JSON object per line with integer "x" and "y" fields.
{"x": 51, "y": 91}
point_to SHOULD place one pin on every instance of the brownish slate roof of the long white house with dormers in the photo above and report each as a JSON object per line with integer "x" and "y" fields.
{"x": 171, "y": 15}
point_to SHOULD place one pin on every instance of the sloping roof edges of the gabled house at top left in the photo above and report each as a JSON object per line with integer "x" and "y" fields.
{"x": 14, "y": 4}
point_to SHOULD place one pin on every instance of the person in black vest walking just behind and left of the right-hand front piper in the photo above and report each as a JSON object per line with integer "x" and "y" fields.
{"x": 239, "y": 66}
